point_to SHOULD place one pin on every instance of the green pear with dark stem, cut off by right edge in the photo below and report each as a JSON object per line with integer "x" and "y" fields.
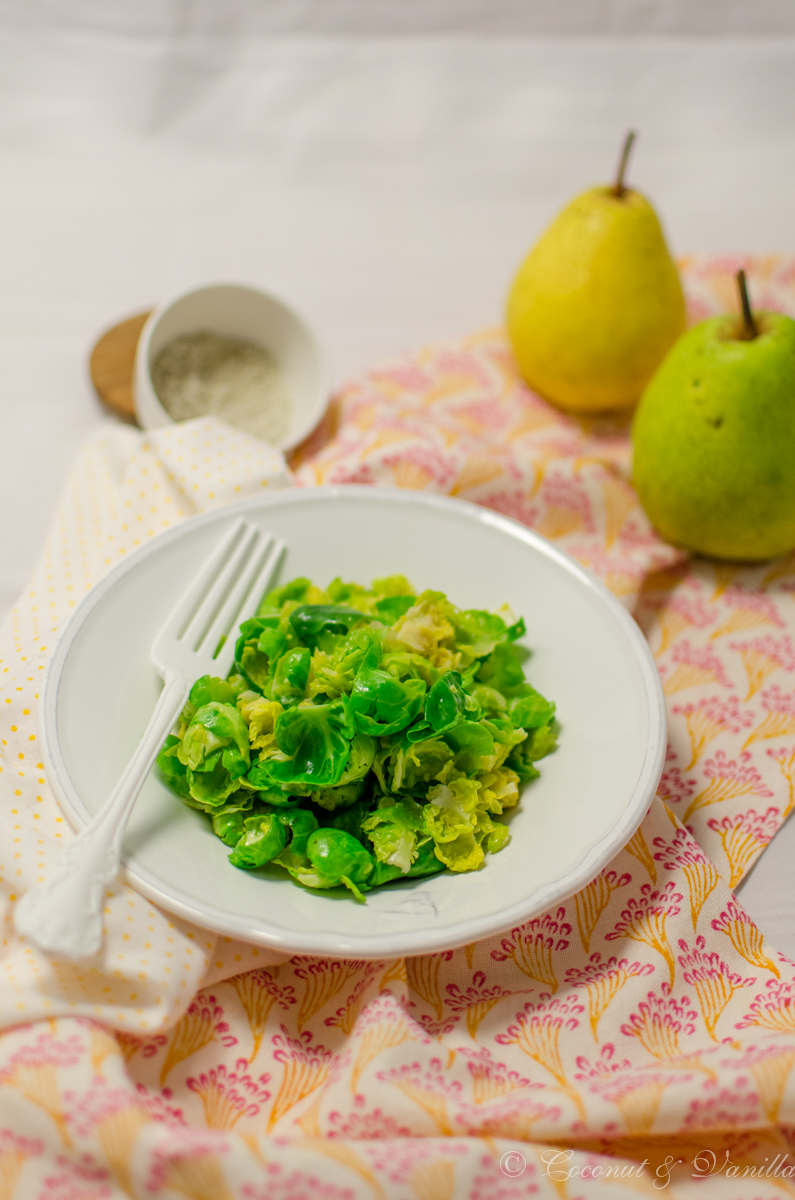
{"x": 715, "y": 439}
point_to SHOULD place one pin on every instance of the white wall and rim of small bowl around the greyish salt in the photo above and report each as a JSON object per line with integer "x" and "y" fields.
{"x": 235, "y": 310}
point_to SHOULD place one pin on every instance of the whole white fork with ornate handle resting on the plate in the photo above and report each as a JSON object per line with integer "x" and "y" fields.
{"x": 63, "y": 915}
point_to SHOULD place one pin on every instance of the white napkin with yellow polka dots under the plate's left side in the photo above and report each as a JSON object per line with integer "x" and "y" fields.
{"x": 125, "y": 488}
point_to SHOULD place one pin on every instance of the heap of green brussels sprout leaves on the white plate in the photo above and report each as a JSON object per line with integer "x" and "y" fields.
{"x": 364, "y": 736}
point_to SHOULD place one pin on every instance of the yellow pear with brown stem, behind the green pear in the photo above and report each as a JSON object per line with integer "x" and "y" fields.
{"x": 597, "y": 304}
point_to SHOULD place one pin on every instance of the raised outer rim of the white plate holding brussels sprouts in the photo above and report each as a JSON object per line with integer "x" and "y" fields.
{"x": 385, "y": 944}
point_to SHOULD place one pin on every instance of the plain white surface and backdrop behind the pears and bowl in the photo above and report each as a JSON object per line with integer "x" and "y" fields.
{"x": 382, "y": 164}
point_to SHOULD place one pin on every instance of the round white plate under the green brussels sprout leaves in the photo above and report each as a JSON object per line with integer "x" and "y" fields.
{"x": 589, "y": 656}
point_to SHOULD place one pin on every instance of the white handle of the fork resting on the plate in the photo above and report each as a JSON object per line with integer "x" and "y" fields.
{"x": 64, "y": 915}
